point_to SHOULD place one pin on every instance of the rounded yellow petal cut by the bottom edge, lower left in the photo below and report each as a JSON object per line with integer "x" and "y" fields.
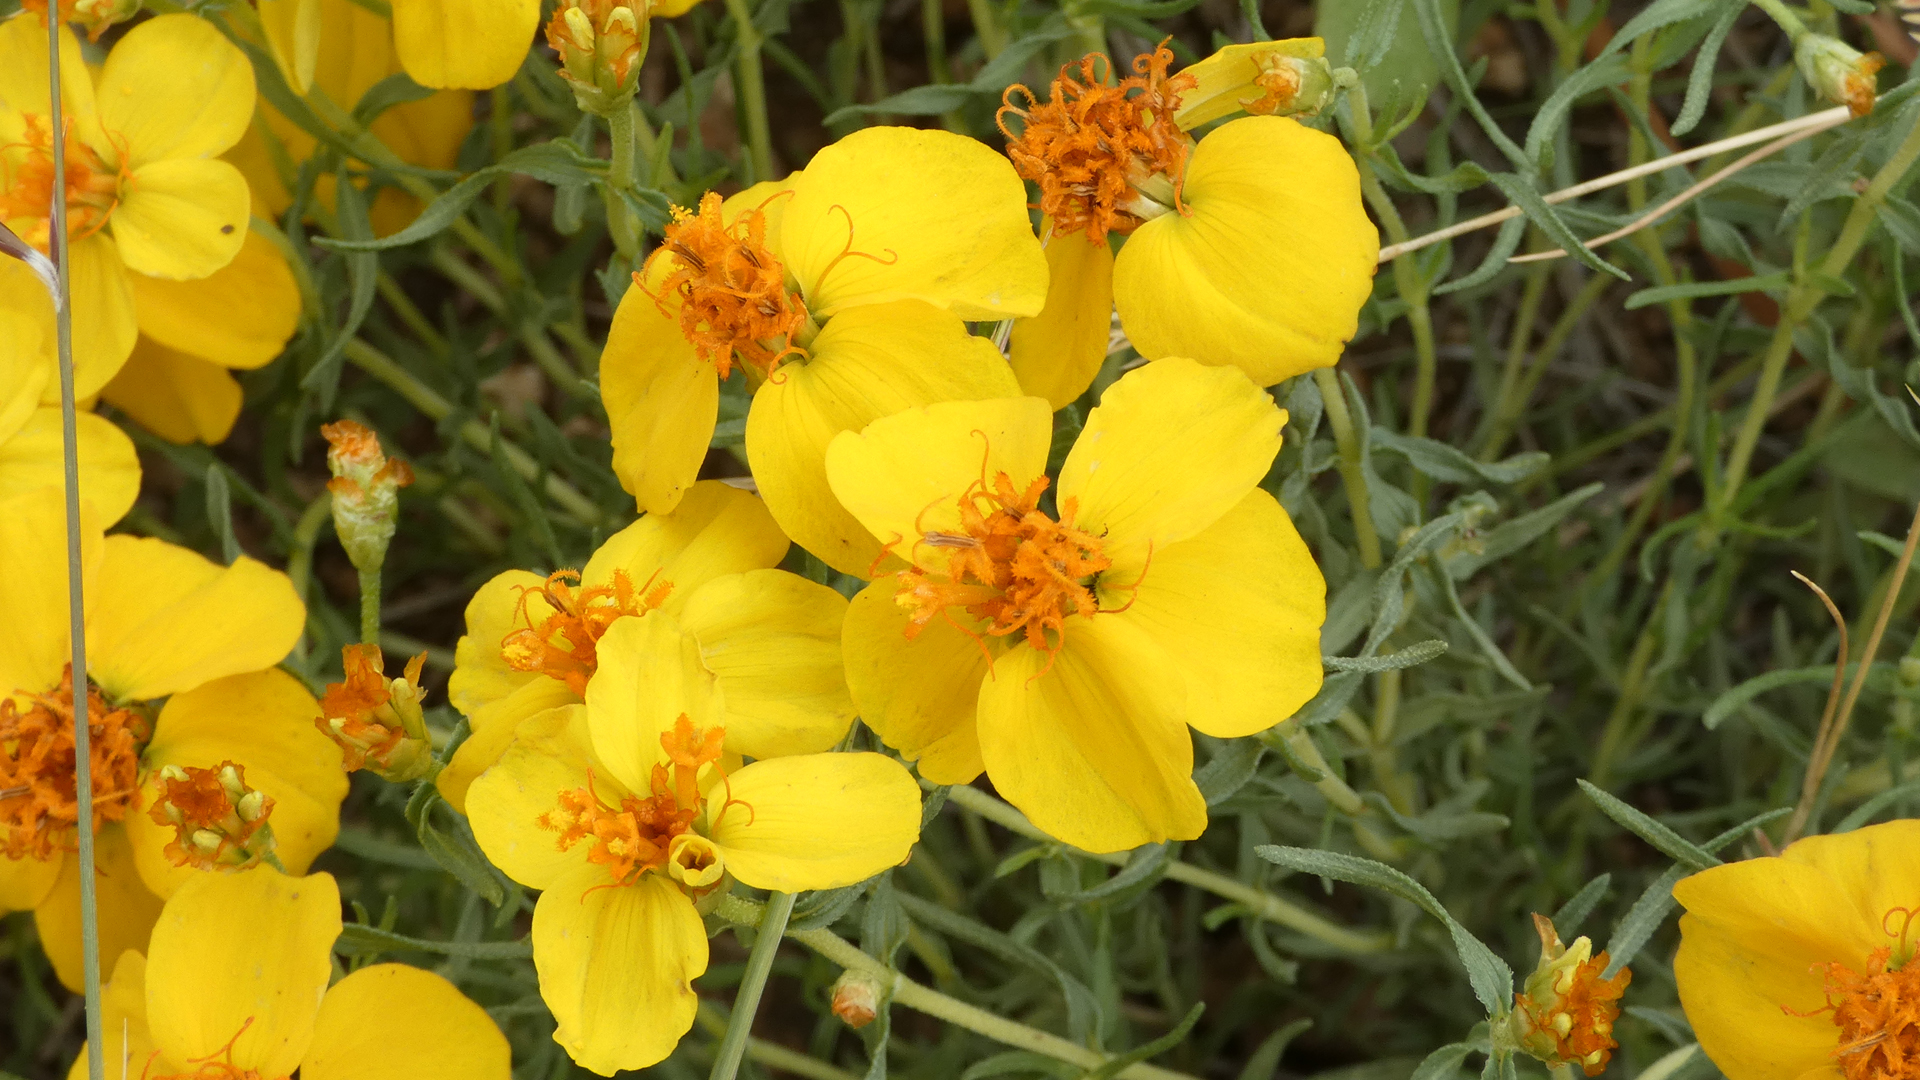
{"x": 450, "y": 1039}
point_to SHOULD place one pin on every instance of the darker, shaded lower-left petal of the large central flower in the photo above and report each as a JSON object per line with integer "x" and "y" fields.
{"x": 919, "y": 697}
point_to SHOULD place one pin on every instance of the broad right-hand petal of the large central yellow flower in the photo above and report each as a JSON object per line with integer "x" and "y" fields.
{"x": 1239, "y": 612}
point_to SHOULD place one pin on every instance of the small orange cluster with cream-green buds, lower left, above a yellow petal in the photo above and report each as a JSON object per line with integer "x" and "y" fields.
{"x": 220, "y": 822}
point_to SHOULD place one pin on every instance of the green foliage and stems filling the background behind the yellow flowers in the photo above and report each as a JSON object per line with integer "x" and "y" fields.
{"x": 1545, "y": 451}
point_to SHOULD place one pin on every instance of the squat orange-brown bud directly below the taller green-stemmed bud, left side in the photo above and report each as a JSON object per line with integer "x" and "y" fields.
{"x": 377, "y": 722}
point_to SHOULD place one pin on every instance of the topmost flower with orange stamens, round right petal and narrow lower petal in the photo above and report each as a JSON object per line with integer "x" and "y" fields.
{"x": 1249, "y": 249}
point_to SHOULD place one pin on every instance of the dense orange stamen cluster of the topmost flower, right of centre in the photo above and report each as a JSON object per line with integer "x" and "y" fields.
{"x": 1092, "y": 145}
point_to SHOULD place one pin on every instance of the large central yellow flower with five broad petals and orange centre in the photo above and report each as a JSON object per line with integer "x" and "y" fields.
{"x": 1067, "y": 654}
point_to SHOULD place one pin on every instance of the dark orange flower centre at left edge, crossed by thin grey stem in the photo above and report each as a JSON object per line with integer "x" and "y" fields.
{"x": 39, "y": 802}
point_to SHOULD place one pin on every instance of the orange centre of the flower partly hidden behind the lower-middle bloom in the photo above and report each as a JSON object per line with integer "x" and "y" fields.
{"x": 564, "y": 645}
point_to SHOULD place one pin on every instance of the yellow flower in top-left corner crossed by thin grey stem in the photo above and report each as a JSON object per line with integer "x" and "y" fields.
{"x": 147, "y": 195}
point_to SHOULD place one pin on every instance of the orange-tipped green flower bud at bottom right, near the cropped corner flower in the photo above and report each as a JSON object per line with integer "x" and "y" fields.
{"x": 1566, "y": 1012}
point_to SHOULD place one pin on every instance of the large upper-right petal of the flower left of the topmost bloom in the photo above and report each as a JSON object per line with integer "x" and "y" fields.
{"x": 919, "y": 216}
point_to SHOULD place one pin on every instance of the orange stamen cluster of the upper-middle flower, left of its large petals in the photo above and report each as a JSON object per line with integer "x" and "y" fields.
{"x": 731, "y": 289}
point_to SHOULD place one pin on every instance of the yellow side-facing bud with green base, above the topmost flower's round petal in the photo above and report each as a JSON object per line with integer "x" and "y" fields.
{"x": 1270, "y": 78}
